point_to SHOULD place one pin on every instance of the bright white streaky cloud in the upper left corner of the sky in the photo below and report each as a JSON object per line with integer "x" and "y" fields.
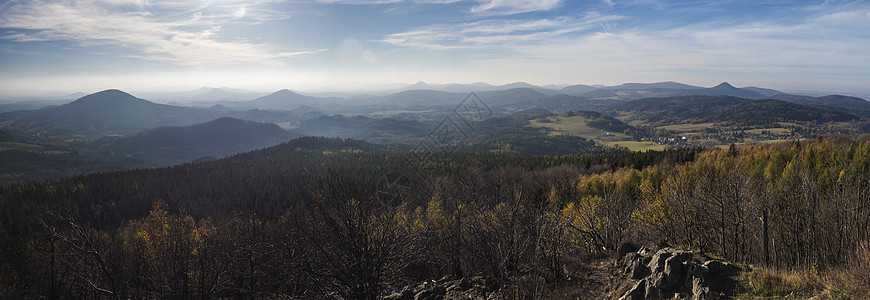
{"x": 171, "y": 31}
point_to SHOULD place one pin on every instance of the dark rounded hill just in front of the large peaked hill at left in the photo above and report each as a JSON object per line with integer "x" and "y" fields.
{"x": 176, "y": 144}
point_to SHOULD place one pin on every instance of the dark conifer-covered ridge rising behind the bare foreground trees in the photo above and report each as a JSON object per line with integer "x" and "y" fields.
{"x": 293, "y": 170}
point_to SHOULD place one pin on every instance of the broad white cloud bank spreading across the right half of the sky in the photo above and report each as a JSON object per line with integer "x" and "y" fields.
{"x": 824, "y": 46}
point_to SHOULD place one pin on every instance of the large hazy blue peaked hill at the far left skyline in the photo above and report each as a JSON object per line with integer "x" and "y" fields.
{"x": 102, "y": 113}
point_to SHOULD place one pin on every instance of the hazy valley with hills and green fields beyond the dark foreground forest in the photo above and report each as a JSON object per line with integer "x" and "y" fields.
{"x": 117, "y": 127}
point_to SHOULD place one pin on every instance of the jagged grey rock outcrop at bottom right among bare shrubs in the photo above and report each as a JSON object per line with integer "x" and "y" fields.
{"x": 672, "y": 273}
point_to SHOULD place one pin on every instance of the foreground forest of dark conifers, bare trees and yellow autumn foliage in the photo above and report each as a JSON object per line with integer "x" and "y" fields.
{"x": 325, "y": 218}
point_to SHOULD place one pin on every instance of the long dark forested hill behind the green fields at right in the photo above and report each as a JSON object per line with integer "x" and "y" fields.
{"x": 701, "y": 109}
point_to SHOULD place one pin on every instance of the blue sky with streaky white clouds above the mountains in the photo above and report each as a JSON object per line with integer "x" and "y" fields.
{"x": 174, "y": 45}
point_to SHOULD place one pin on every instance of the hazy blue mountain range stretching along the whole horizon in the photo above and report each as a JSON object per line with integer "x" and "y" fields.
{"x": 114, "y": 112}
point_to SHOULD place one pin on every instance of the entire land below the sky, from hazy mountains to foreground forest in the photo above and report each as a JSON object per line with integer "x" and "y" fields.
{"x": 505, "y": 192}
